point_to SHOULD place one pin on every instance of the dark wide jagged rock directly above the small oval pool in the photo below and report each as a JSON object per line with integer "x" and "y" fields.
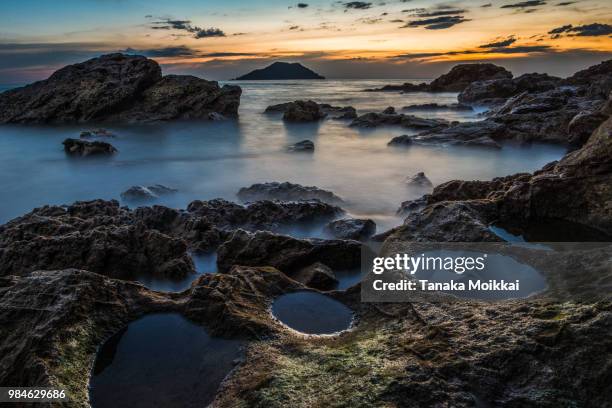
{"x": 287, "y": 254}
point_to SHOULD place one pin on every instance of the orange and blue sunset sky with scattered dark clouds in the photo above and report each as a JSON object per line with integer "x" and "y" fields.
{"x": 219, "y": 40}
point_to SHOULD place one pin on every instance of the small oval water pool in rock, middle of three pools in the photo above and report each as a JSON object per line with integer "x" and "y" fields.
{"x": 312, "y": 313}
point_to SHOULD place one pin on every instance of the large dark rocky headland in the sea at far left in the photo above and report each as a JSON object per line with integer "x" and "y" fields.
{"x": 117, "y": 88}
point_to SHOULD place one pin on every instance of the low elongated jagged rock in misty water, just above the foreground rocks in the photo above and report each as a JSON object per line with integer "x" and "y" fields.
{"x": 286, "y": 192}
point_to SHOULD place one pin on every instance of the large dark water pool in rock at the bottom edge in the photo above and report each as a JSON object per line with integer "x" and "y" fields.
{"x": 161, "y": 360}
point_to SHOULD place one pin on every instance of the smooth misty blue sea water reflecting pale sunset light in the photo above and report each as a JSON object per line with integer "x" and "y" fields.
{"x": 215, "y": 159}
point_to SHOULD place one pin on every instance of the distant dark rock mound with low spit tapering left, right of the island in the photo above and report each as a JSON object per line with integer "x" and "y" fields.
{"x": 456, "y": 80}
